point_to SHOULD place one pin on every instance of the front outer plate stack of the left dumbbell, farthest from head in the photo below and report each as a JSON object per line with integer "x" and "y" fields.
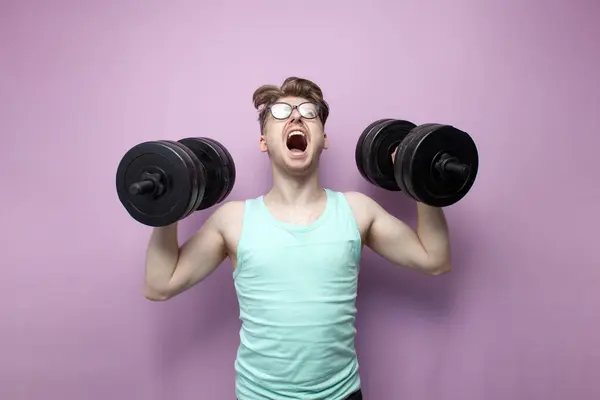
{"x": 151, "y": 209}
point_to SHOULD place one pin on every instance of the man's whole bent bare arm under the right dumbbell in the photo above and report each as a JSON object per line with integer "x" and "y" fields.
{"x": 427, "y": 249}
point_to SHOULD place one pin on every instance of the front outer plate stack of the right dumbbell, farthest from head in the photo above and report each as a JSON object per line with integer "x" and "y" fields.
{"x": 423, "y": 181}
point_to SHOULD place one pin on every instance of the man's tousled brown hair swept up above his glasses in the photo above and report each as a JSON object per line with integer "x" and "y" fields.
{"x": 266, "y": 95}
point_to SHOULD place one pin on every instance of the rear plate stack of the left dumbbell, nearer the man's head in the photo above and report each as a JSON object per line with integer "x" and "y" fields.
{"x": 220, "y": 169}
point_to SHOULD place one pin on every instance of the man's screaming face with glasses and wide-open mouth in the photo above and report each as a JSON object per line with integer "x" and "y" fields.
{"x": 293, "y": 134}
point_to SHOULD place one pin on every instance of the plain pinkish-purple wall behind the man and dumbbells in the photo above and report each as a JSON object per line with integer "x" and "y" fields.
{"x": 81, "y": 82}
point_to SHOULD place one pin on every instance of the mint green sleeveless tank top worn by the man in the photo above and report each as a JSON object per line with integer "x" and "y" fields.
{"x": 296, "y": 288}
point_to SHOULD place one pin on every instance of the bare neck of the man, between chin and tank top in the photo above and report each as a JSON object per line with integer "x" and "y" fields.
{"x": 296, "y": 190}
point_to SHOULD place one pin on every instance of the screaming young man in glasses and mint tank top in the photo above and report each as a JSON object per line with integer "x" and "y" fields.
{"x": 295, "y": 253}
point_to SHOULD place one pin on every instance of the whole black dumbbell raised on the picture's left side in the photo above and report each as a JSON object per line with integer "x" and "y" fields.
{"x": 162, "y": 182}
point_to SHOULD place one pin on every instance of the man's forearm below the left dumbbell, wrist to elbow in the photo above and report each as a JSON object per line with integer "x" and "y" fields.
{"x": 161, "y": 258}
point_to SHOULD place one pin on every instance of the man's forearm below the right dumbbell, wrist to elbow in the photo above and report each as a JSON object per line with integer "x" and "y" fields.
{"x": 432, "y": 230}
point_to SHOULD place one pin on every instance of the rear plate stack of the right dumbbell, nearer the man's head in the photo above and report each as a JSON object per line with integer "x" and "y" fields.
{"x": 378, "y": 147}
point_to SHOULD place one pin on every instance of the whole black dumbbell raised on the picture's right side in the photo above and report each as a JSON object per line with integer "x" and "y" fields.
{"x": 434, "y": 164}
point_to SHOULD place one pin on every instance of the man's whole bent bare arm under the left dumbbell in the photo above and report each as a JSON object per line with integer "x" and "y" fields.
{"x": 171, "y": 270}
